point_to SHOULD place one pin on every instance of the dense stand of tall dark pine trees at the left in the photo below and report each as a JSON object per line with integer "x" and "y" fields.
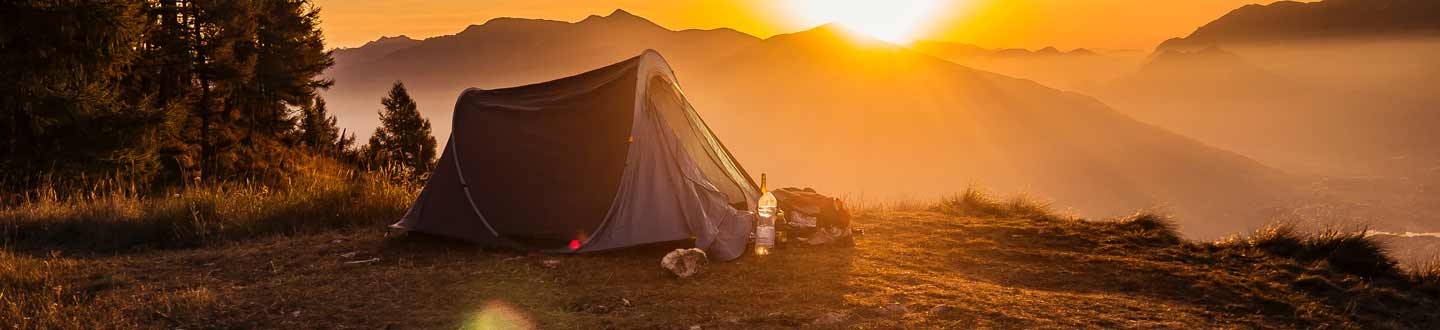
{"x": 212, "y": 87}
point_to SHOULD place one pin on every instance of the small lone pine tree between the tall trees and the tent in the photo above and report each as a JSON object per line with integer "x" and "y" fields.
{"x": 404, "y": 136}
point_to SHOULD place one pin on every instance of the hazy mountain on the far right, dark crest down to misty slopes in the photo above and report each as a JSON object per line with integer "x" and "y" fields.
{"x": 1336, "y": 92}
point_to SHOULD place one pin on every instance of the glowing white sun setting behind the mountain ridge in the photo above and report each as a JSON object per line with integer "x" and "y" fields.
{"x": 892, "y": 21}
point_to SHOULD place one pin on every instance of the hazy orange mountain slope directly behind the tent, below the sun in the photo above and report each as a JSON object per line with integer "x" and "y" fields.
{"x": 852, "y": 115}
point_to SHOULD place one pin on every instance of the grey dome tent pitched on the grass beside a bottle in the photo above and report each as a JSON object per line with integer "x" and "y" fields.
{"x": 607, "y": 159}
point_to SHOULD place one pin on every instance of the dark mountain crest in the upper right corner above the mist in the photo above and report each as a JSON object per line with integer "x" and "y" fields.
{"x": 1320, "y": 21}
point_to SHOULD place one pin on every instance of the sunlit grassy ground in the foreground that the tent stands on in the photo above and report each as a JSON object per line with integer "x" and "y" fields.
{"x": 968, "y": 263}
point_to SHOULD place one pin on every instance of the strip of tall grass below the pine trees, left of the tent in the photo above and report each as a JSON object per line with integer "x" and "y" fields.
{"x": 116, "y": 218}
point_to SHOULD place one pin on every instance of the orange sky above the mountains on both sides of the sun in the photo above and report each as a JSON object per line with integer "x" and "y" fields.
{"x": 994, "y": 24}
